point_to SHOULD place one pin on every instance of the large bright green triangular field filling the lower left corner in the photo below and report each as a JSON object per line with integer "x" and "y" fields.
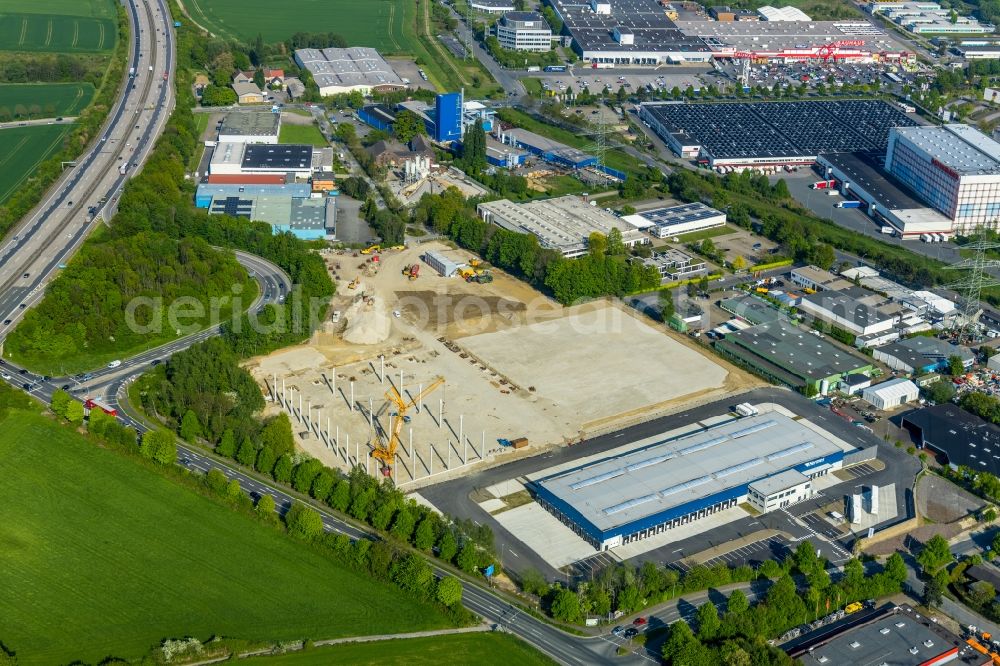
{"x": 102, "y": 556}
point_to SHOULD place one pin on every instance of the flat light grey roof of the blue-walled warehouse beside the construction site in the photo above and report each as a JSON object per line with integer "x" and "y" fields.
{"x": 669, "y": 473}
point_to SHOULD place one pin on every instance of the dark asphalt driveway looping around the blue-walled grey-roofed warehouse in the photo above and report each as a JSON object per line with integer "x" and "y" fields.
{"x": 452, "y": 497}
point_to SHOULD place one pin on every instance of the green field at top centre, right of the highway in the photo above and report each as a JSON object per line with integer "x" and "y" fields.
{"x": 375, "y": 23}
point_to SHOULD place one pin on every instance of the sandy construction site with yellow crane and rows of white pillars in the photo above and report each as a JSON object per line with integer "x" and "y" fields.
{"x": 432, "y": 363}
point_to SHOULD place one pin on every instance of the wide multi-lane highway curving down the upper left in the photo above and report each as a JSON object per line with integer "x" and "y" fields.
{"x": 87, "y": 193}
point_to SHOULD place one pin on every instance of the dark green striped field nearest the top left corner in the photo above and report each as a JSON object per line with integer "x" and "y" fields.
{"x": 53, "y": 33}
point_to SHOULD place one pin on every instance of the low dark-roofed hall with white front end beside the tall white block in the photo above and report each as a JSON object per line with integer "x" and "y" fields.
{"x": 888, "y": 202}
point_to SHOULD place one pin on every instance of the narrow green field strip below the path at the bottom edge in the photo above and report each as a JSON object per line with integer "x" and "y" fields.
{"x": 478, "y": 648}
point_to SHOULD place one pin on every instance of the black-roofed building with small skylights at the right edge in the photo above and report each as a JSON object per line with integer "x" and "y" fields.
{"x": 963, "y": 438}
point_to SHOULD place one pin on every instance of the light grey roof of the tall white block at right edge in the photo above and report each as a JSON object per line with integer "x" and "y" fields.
{"x": 959, "y": 147}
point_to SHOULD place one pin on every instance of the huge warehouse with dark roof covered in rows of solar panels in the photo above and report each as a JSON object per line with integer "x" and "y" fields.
{"x": 773, "y": 134}
